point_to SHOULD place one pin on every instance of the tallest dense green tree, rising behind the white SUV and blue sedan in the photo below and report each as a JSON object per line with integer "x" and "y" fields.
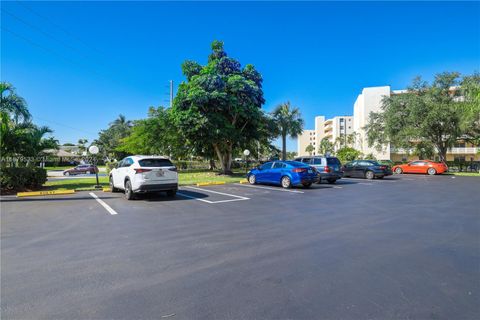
{"x": 218, "y": 107}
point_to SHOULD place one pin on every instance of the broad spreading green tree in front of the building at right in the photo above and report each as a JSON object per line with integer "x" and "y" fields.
{"x": 432, "y": 115}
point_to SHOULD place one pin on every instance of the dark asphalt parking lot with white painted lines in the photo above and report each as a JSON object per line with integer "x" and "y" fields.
{"x": 406, "y": 247}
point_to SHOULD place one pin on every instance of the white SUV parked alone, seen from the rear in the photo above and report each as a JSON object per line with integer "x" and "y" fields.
{"x": 141, "y": 174}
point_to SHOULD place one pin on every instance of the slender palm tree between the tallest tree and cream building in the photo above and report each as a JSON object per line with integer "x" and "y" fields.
{"x": 289, "y": 123}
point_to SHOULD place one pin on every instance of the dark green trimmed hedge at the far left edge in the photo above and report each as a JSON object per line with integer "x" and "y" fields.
{"x": 22, "y": 178}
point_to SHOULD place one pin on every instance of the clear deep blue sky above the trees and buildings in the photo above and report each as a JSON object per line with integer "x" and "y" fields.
{"x": 80, "y": 64}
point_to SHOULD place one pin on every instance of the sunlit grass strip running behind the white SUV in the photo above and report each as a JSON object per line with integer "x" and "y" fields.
{"x": 184, "y": 178}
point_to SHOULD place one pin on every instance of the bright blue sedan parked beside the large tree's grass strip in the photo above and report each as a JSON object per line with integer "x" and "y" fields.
{"x": 284, "y": 173}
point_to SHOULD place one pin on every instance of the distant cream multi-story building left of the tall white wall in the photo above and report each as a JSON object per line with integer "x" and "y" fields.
{"x": 332, "y": 129}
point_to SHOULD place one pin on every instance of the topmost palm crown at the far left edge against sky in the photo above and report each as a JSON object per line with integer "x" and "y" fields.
{"x": 12, "y": 104}
